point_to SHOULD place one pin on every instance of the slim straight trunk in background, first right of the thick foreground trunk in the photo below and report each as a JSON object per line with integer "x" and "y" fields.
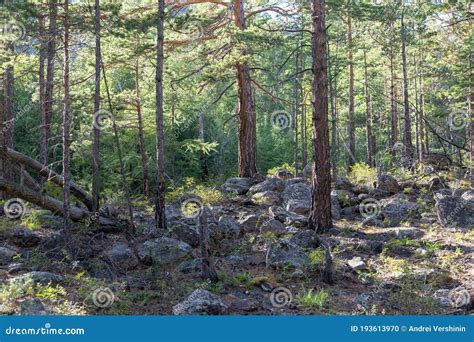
{"x": 350, "y": 119}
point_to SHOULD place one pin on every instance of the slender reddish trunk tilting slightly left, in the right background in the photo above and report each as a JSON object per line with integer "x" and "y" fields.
{"x": 407, "y": 141}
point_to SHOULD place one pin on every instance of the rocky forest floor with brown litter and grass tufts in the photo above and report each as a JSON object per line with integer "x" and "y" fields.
{"x": 414, "y": 267}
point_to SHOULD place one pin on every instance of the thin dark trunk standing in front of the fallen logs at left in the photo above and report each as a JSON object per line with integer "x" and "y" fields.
{"x": 66, "y": 175}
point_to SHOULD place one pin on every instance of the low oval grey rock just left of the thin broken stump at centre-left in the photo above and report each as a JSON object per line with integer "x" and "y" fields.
{"x": 164, "y": 251}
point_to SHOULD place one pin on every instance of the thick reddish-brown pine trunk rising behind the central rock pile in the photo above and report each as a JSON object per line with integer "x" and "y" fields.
{"x": 247, "y": 118}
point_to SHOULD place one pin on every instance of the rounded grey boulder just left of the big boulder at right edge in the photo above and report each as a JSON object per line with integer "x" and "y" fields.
{"x": 394, "y": 210}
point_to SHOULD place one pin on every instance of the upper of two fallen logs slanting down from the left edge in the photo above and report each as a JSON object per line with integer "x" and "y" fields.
{"x": 44, "y": 171}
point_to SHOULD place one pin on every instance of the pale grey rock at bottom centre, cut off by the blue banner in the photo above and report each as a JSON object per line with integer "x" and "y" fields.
{"x": 201, "y": 302}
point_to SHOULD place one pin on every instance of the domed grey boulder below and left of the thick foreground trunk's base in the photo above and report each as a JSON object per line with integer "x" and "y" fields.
{"x": 286, "y": 254}
